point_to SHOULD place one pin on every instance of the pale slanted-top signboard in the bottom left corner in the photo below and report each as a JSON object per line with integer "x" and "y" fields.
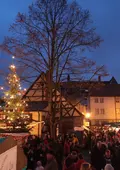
{"x": 8, "y": 159}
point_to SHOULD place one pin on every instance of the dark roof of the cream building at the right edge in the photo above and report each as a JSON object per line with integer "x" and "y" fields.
{"x": 109, "y": 90}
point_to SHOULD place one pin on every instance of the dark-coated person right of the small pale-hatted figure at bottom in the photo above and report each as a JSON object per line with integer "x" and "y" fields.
{"x": 51, "y": 161}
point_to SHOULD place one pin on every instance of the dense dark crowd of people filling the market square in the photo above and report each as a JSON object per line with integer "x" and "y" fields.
{"x": 65, "y": 153}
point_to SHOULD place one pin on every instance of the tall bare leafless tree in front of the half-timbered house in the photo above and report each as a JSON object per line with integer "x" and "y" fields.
{"x": 52, "y": 37}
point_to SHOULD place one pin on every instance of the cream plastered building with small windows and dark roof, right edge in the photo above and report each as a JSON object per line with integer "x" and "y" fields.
{"x": 104, "y": 105}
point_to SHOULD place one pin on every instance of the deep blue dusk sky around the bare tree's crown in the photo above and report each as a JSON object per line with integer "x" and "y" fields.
{"x": 105, "y": 14}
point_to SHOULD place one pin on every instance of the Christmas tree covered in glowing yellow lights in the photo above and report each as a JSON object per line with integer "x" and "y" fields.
{"x": 14, "y": 108}
